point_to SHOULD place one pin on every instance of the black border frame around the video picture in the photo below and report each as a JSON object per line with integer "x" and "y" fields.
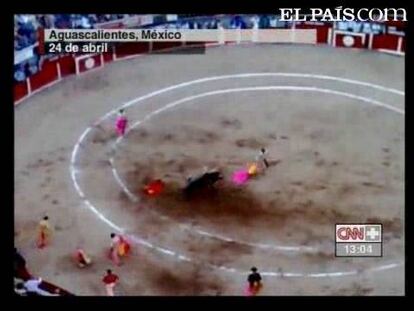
{"x": 159, "y": 6}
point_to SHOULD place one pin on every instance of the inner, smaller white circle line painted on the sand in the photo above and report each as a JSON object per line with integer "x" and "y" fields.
{"x": 187, "y": 99}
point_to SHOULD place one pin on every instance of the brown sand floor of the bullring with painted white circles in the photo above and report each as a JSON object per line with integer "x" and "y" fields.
{"x": 331, "y": 118}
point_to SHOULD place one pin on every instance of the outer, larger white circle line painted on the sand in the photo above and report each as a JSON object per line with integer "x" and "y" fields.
{"x": 136, "y": 100}
